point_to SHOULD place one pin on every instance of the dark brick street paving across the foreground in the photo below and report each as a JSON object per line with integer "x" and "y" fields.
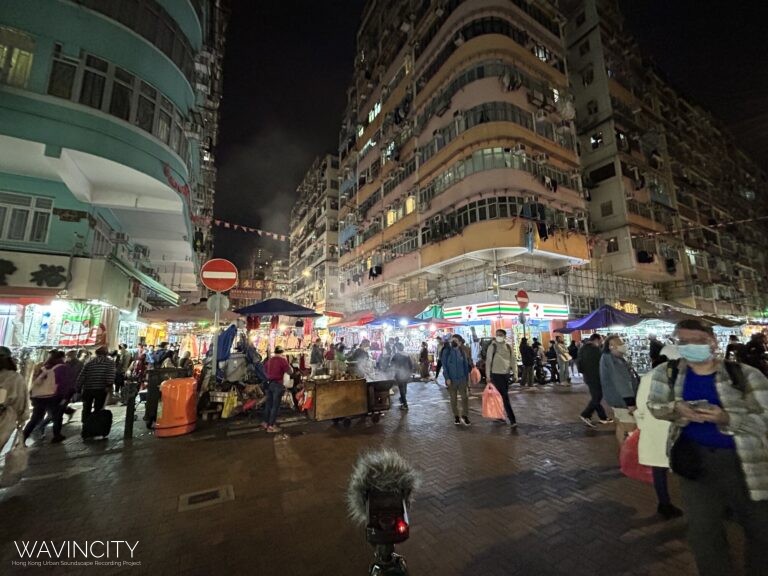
{"x": 545, "y": 499}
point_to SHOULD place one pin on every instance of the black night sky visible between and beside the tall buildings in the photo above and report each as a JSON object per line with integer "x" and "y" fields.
{"x": 288, "y": 64}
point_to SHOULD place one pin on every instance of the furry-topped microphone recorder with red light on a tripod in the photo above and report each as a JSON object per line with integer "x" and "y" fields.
{"x": 378, "y": 496}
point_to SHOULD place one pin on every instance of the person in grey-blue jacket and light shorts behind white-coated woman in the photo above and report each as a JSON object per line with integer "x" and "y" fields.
{"x": 619, "y": 384}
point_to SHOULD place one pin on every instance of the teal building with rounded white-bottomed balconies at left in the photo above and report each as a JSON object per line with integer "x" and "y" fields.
{"x": 108, "y": 118}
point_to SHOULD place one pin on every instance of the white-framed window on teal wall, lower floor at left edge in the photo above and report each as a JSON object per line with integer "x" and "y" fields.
{"x": 24, "y": 218}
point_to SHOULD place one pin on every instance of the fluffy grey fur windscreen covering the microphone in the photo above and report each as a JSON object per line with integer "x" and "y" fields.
{"x": 381, "y": 470}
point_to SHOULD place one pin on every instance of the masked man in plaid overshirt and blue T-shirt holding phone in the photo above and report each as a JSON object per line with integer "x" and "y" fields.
{"x": 717, "y": 445}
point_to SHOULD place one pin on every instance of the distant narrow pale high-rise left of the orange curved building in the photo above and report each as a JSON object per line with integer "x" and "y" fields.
{"x": 314, "y": 238}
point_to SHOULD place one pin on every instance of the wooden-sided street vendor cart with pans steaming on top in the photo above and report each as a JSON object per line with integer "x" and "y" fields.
{"x": 341, "y": 400}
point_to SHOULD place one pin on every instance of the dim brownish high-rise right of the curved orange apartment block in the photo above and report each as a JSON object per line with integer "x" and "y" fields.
{"x": 665, "y": 181}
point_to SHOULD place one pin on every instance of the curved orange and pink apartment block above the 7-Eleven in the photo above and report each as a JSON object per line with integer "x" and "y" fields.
{"x": 459, "y": 170}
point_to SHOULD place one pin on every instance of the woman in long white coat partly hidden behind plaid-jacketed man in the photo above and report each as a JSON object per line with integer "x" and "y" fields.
{"x": 652, "y": 448}
